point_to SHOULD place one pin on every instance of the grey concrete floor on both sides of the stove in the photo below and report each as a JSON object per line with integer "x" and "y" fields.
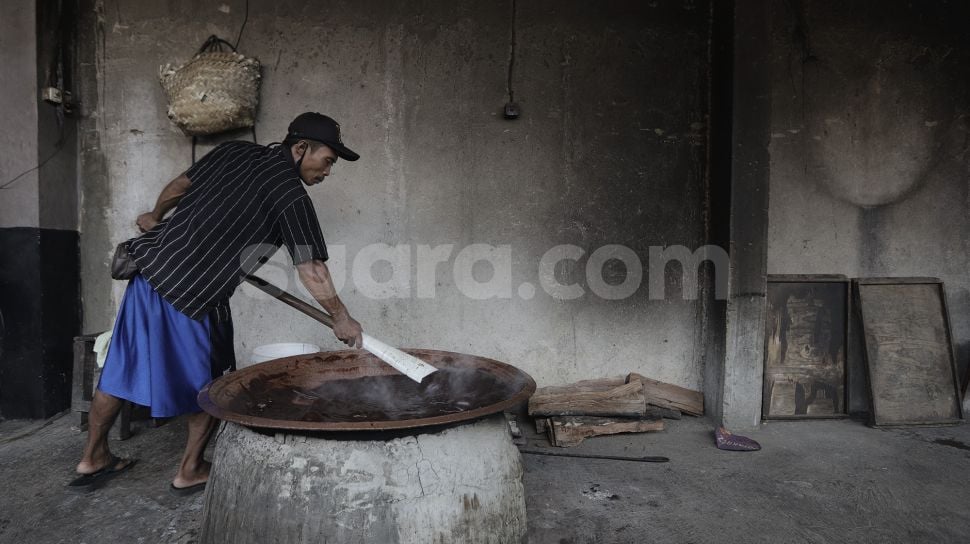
{"x": 814, "y": 481}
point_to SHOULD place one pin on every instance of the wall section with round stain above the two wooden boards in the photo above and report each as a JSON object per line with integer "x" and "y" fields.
{"x": 869, "y": 166}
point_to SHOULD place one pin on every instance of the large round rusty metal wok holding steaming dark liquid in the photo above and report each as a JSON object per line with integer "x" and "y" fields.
{"x": 352, "y": 390}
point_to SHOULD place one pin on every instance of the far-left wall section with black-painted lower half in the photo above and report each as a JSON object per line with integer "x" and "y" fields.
{"x": 39, "y": 278}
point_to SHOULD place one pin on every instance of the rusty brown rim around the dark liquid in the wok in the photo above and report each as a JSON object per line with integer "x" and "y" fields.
{"x": 359, "y": 363}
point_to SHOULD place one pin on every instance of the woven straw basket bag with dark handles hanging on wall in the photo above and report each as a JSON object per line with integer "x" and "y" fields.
{"x": 213, "y": 92}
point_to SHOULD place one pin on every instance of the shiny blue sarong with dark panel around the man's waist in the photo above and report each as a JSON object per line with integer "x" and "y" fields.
{"x": 161, "y": 358}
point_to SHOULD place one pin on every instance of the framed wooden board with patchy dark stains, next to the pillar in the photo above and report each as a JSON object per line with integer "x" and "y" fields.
{"x": 806, "y": 332}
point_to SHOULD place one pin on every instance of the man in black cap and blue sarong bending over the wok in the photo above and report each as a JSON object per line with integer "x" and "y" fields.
{"x": 173, "y": 333}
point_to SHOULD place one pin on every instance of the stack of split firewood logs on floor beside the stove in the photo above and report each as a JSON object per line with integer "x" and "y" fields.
{"x": 632, "y": 404}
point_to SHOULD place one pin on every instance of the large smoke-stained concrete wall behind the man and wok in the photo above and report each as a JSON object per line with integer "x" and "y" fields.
{"x": 609, "y": 150}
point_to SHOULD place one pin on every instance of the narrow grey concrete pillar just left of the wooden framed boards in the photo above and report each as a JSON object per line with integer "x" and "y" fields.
{"x": 740, "y": 405}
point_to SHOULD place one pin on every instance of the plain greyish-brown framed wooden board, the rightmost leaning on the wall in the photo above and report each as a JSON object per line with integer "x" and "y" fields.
{"x": 909, "y": 352}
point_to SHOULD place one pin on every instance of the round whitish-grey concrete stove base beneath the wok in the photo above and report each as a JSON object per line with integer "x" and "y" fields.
{"x": 462, "y": 484}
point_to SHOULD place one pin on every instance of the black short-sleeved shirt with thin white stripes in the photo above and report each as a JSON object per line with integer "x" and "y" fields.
{"x": 245, "y": 201}
